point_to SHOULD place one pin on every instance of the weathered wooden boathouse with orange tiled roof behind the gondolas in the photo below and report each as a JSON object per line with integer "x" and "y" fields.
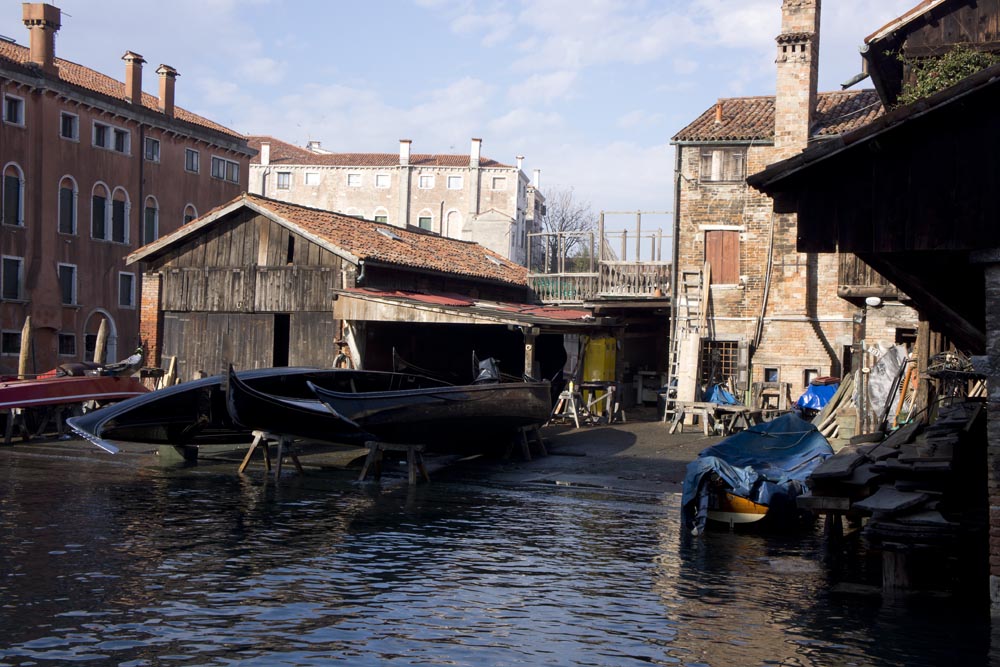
{"x": 255, "y": 282}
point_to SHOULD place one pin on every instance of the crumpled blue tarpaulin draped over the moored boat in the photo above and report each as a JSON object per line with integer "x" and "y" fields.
{"x": 766, "y": 464}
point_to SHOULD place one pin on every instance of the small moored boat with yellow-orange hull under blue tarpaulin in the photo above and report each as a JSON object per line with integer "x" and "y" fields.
{"x": 753, "y": 474}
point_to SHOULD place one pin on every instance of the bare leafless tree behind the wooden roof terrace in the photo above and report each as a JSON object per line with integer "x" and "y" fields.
{"x": 567, "y": 224}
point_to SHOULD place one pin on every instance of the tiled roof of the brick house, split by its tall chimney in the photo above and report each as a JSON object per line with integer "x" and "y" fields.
{"x": 752, "y": 118}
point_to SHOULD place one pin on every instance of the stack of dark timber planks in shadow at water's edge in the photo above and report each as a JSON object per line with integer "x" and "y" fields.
{"x": 917, "y": 489}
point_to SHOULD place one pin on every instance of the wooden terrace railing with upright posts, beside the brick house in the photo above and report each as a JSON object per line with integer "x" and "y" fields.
{"x": 573, "y": 267}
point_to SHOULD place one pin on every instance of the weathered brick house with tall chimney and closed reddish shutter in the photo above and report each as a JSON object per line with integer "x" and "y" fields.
{"x": 771, "y": 312}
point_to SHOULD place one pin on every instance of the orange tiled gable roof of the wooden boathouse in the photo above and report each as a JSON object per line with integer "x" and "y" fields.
{"x": 362, "y": 239}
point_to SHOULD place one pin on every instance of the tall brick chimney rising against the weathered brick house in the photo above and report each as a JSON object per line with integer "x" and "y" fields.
{"x": 798, "y": 68}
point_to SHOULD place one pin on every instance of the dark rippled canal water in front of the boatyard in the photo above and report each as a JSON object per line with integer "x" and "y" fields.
{"x": 103, "y": 563}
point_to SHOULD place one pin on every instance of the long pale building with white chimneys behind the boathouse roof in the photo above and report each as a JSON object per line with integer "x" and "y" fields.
{"x": 466, "y": 197}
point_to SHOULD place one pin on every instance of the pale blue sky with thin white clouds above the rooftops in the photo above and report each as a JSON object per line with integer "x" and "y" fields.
{"x": 588, "y": 91}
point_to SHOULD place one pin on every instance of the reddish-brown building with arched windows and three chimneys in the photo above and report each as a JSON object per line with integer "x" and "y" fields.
{"x": 92, "y": 168}
